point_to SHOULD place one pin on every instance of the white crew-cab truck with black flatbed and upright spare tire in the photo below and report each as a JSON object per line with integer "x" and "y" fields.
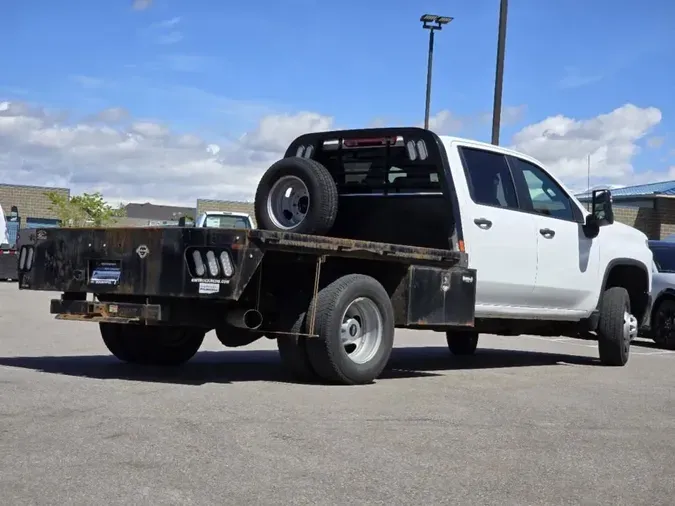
{"x": 360, "y": 232}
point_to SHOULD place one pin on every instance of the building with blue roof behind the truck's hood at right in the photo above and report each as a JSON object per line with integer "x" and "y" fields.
{"x": 647, "y": 207}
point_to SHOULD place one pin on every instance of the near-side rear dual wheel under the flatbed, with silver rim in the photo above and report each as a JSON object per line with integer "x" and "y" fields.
{"x": 355, "y": 324}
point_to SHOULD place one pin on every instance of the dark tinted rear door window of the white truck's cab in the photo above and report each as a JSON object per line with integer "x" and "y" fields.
{"x": 490, "y": 178}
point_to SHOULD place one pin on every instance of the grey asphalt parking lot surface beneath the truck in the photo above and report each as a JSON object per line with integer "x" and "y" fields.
{"x": 526, "y": 421}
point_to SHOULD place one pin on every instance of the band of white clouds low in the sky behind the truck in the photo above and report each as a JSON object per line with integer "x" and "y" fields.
{"x": 134, "y": 159}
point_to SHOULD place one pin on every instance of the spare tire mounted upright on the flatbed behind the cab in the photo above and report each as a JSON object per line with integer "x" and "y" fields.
{"x": 296, "y": 195}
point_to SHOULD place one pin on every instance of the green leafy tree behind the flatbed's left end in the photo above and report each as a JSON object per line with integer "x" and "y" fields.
{"x": 86, "y": 210}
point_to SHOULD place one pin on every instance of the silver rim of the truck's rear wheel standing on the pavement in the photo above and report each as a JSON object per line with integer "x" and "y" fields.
{"x": 362, "y": 329}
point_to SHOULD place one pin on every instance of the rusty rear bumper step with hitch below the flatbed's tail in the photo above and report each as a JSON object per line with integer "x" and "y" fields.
{"x": 114, "y": 312}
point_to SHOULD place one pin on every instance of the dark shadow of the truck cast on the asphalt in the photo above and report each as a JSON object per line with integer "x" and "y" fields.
{"x": 264, "y": 365}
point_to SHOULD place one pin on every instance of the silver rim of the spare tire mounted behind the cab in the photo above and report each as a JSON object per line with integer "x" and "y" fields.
{"x": 288, "y": 202}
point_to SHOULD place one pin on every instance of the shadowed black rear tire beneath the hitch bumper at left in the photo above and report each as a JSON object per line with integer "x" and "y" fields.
{"x": 152, "y": 345}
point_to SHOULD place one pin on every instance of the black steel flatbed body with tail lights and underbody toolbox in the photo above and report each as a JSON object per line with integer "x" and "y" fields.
{"x": 435, "y": 289}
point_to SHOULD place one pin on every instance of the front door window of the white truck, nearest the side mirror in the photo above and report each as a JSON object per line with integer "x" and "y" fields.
{"x": 545, "y": 194}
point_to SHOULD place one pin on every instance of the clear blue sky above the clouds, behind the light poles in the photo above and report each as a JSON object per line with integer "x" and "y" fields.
{"x": 215, "y": 68}
